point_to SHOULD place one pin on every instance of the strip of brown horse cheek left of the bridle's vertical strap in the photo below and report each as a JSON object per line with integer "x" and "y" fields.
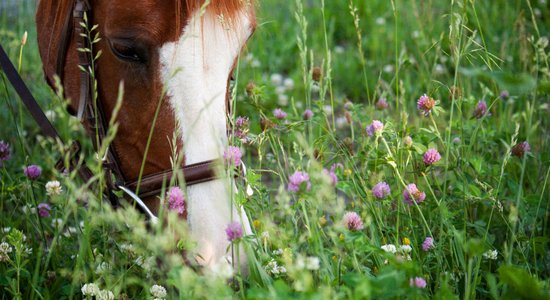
{"x": 54, "y": 34}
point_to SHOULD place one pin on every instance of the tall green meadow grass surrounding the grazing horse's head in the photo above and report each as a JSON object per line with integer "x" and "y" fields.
{"x": 486, "y": 209}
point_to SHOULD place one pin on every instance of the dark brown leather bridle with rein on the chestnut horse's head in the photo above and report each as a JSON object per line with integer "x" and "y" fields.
{"x": 93, "y": 115}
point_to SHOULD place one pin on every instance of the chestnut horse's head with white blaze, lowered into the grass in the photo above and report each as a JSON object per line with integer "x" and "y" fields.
{"x": 180, "y": 52}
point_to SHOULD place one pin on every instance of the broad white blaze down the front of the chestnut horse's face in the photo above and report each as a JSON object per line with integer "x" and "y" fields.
{"x": 195, "y": 69}
